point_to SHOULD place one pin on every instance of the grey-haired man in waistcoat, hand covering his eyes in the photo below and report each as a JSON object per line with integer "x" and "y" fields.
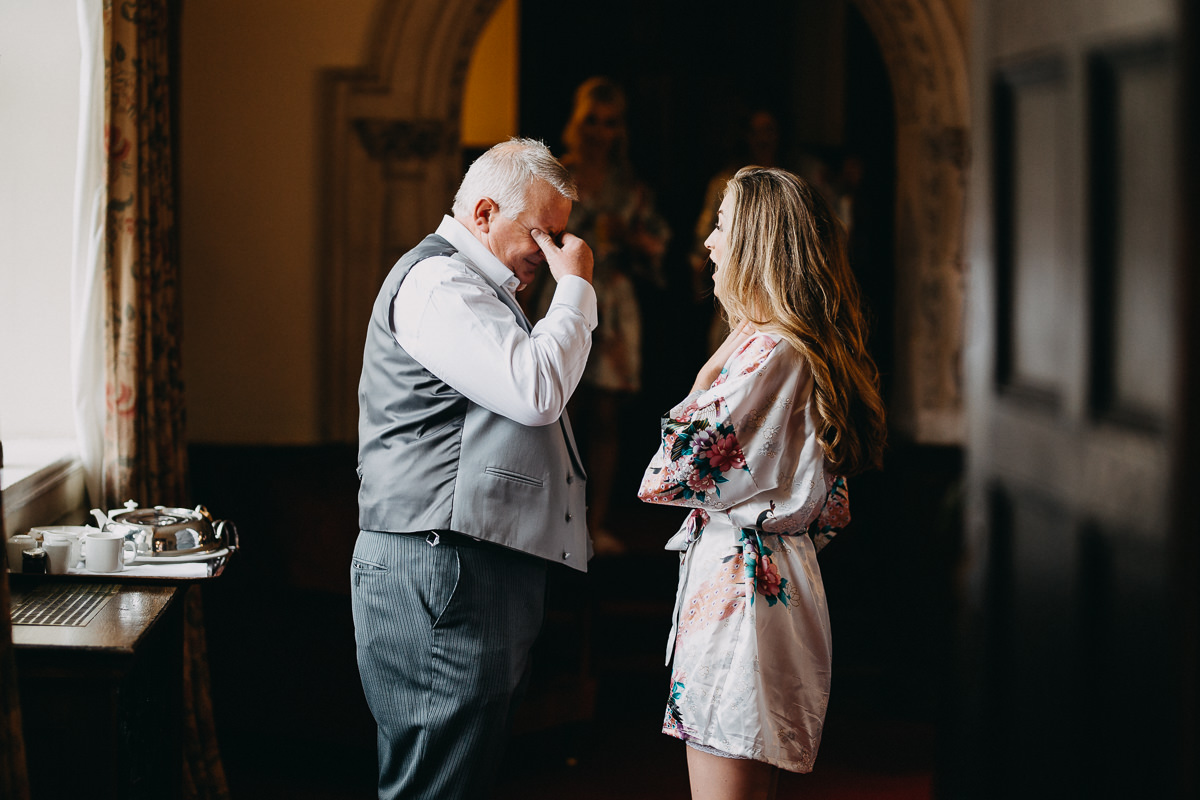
{"x": 471, "y": 484}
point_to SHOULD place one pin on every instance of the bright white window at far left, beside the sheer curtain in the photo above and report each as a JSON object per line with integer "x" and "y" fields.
{"x": 39, "y": 133}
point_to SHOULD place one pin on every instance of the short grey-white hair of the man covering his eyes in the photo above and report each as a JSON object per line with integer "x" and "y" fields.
{"x": 507, "y": 172}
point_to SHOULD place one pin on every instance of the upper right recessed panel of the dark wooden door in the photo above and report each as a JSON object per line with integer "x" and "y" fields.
{"x": 1131, "y": 233}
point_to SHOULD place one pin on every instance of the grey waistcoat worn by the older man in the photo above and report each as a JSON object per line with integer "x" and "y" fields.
{"x": 431, "y": 460}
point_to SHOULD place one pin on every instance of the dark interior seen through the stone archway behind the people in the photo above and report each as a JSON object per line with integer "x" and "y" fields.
{"x": 692, "y": 75}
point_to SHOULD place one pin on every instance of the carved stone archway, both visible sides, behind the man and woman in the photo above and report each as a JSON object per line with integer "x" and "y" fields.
{"x": 392, "y": 164}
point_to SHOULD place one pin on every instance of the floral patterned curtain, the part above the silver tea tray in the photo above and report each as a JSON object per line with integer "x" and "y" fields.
{"x": 146, "y": 456}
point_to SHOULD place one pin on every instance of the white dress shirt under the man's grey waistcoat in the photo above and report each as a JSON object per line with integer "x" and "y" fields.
{"x": 454, "y": 324}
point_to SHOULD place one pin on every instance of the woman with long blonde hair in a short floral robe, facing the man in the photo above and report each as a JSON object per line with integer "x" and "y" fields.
{"x": 787, "y": 408}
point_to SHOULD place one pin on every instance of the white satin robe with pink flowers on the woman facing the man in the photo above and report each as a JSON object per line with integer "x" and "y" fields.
{"x": 751, "y": 641}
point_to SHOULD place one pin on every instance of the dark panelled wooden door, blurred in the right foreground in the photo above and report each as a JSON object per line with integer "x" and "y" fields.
{"x": 1078, "y": 658}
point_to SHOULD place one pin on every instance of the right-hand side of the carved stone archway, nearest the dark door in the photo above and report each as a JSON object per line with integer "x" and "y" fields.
{"x": 923, "y": 49}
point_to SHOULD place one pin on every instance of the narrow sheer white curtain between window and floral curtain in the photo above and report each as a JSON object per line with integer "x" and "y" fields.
{"x": 87, "y": 269}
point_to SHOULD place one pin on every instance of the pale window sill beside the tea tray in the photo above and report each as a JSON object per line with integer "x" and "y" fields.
{"x": 43, "y": 483}
